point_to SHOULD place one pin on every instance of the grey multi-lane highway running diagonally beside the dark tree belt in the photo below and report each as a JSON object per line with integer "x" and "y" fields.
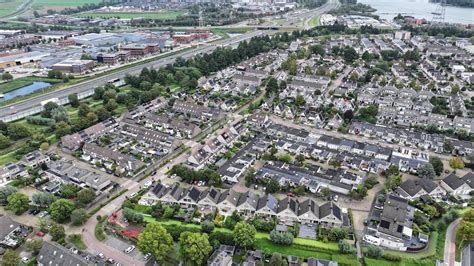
{"x": 33, "y": 105}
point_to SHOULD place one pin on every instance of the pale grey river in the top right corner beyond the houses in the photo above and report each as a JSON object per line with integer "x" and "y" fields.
{"x": 388, "y": 9}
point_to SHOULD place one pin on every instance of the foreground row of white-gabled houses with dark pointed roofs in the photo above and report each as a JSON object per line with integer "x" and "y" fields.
{"x": 288, "y": 210}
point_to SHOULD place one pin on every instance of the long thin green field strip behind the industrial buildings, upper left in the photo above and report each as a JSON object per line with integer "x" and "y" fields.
{"x": 162, "y": 15}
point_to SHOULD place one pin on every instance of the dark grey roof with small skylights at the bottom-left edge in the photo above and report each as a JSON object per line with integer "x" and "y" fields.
{"x": 56, "y": 255}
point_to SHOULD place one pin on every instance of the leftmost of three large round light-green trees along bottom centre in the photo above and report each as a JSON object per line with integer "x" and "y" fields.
{"x": 155, "y": 240}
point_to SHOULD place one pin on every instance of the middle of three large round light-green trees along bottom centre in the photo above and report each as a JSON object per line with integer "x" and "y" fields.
{"x": 194, "y": 247}
